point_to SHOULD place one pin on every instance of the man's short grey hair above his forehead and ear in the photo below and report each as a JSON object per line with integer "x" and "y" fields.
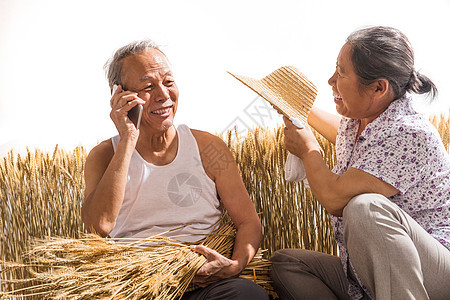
{"x": 113, "y": 66}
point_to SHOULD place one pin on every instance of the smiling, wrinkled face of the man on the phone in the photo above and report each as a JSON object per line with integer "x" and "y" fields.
{"x": 150, "y": 76}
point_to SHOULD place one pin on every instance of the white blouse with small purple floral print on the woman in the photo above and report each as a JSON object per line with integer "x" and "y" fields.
{"x": 402, "y": 148}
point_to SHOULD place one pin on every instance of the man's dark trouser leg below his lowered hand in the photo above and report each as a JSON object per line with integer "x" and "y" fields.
{"x": 230, "y": 288}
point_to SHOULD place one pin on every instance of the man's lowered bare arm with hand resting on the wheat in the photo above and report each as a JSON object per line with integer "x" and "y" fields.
{"x": 234, "y": 196}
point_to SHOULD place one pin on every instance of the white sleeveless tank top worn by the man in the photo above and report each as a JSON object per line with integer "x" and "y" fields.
{"x": 161, "y": 198}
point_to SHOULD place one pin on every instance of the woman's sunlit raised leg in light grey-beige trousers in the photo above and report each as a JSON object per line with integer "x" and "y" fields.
{"x": 391, "y": 253}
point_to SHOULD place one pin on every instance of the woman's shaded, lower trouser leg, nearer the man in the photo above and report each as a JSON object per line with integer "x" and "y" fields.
{"x": 303, "y": 274}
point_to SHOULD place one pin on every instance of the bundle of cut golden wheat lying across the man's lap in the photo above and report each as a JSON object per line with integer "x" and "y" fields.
{"x": 96, "y": 268}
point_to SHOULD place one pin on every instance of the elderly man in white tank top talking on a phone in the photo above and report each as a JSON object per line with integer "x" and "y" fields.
{"x": 159, "y": 177}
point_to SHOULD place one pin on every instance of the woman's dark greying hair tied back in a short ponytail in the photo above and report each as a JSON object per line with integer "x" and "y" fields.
{"x": 385, "y": 52}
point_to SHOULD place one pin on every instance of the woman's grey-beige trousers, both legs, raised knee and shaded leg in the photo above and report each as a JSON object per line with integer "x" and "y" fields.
{"x": 394, "y": 257}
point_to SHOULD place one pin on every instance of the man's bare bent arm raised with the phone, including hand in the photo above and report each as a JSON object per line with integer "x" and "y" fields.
{"x": 106, "y": 171}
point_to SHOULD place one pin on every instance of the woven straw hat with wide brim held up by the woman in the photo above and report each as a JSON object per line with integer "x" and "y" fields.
{"x": 287, "y": 89}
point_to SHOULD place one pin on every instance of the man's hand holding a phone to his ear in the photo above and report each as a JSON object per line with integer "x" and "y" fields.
{"x": 126, "y": 111}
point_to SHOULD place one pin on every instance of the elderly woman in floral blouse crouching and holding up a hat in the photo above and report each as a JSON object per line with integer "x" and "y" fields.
{"x": 389, "y": 193}
